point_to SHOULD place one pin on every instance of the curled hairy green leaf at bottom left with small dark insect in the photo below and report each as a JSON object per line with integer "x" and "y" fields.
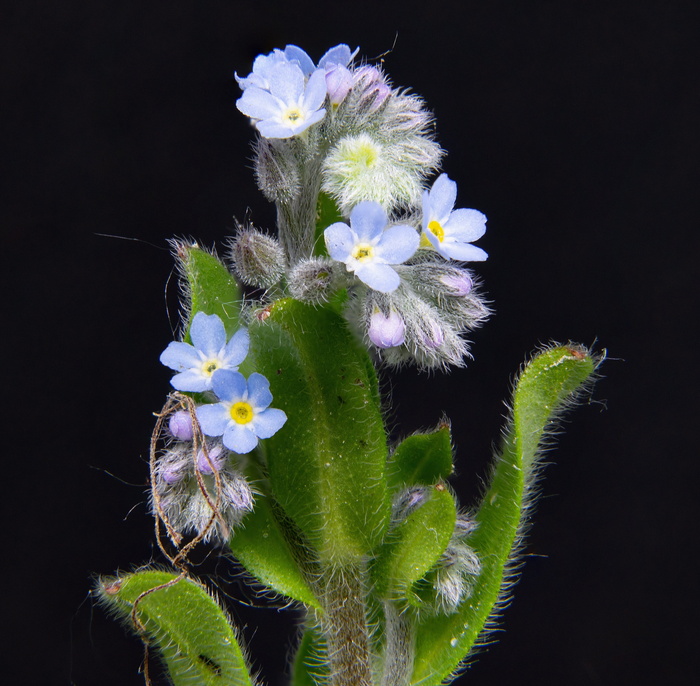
{"x": 192, "y": 633}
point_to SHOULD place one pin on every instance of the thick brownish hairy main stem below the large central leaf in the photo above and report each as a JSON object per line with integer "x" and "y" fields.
{"x": 344, "y": 624}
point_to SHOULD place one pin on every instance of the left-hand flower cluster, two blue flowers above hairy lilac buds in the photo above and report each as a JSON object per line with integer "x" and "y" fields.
{"x": 232, "y": 427}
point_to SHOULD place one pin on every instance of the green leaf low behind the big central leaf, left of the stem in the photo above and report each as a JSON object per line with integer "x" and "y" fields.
{"x": 267, "y": 551}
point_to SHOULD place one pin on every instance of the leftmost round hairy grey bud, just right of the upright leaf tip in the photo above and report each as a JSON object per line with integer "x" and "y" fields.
{"x": 258, "y": 259}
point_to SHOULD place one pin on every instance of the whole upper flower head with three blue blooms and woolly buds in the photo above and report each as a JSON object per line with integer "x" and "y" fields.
{"x": 339, "y": 132}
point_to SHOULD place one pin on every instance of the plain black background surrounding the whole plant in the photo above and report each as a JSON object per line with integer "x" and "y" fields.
{"x": 572, "y": 125}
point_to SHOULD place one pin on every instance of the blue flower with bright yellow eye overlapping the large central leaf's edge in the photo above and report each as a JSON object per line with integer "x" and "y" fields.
{"x": 244, "y": 414}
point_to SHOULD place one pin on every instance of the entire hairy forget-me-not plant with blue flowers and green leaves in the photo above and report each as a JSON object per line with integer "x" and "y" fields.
{"x": 395, "y": 581}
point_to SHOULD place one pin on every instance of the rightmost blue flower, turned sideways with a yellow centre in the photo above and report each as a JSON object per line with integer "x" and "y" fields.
{"x": 449, "y": 231}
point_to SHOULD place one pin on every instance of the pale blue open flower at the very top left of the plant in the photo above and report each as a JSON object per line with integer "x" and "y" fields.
{"x": 290, "y": 105}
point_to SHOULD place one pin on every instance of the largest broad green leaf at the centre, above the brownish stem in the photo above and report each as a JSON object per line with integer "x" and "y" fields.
{"x": 327, "y": 465}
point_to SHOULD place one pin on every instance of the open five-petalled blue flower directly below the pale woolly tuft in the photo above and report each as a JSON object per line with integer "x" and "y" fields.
{"x": 368, "y": 247}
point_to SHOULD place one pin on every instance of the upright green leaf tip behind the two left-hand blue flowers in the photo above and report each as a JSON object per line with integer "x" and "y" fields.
{"x": 211, "y": 288}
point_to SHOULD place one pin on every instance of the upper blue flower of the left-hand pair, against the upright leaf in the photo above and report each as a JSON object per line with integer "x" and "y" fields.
{"x": 208, "y": 353}
